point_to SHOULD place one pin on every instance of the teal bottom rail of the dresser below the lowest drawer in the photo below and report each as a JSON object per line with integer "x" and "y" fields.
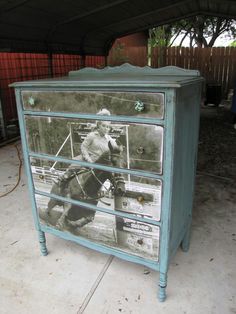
{"x": 102, "y": 248}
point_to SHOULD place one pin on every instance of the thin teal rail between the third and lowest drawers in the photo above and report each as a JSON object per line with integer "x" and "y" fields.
{"x": 100, "y": 209}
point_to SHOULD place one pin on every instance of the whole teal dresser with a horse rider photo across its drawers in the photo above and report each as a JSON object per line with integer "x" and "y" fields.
{"x": 110, "y": 157}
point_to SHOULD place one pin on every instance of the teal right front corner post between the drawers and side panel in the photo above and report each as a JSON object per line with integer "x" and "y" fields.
{"x": 167, "y": 183}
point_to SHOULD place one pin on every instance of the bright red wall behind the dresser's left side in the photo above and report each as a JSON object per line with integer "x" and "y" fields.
{"x": 16, "y": 67}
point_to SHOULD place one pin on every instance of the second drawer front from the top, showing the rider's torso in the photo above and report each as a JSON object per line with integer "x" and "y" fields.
{"x": 142, "y": 144}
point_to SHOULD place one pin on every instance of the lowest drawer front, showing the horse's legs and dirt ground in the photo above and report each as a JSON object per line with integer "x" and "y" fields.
{"x": 126, "y": 235}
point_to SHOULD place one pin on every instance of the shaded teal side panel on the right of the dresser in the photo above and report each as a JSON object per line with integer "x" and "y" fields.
{"x": 185, "y": 152}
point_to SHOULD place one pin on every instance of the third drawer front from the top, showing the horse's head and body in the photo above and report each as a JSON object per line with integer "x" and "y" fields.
{"x": 126, "y": 193}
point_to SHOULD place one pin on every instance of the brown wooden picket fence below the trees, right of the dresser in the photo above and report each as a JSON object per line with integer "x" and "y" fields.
{"x": 217, "y": 65}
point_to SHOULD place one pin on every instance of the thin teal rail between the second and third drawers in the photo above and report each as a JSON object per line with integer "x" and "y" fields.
{"x": 96, "y": 166}
